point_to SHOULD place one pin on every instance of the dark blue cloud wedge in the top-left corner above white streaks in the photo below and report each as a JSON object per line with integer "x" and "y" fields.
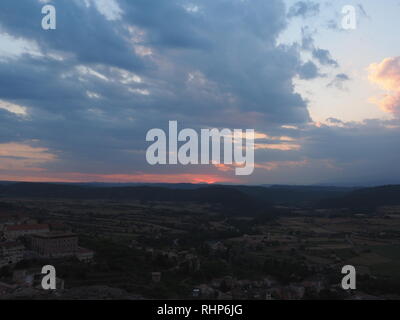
{"x": 81, "y": 31}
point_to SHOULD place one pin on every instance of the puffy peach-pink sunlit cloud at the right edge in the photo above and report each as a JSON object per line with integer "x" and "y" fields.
{"x": 386, "y": 74}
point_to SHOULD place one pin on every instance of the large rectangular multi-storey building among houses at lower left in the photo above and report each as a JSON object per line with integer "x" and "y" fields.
{"x": 55, "y": 244}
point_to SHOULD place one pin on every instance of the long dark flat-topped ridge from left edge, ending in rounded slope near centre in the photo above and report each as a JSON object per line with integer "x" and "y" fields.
{"x": 228, "y": 199}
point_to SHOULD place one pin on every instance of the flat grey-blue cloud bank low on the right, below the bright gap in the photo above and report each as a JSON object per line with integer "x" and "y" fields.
{"x": 338, "y": 153}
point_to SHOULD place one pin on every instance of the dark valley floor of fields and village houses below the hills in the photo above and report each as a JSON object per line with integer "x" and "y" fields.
{"x": 160, "y": 250}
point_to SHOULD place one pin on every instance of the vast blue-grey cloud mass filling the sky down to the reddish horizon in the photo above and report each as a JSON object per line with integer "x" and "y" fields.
{"x": 92, "y": 89}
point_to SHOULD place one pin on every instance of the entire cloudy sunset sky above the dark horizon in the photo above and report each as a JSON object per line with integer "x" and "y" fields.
{"x": 76, "y": 102}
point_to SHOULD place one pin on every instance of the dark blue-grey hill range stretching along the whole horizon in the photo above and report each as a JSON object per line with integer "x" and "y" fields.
{"x": 231, "y": 197}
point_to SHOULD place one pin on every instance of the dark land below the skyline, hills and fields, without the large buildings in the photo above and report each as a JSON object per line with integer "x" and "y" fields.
{"x": 212, "y": 242}
